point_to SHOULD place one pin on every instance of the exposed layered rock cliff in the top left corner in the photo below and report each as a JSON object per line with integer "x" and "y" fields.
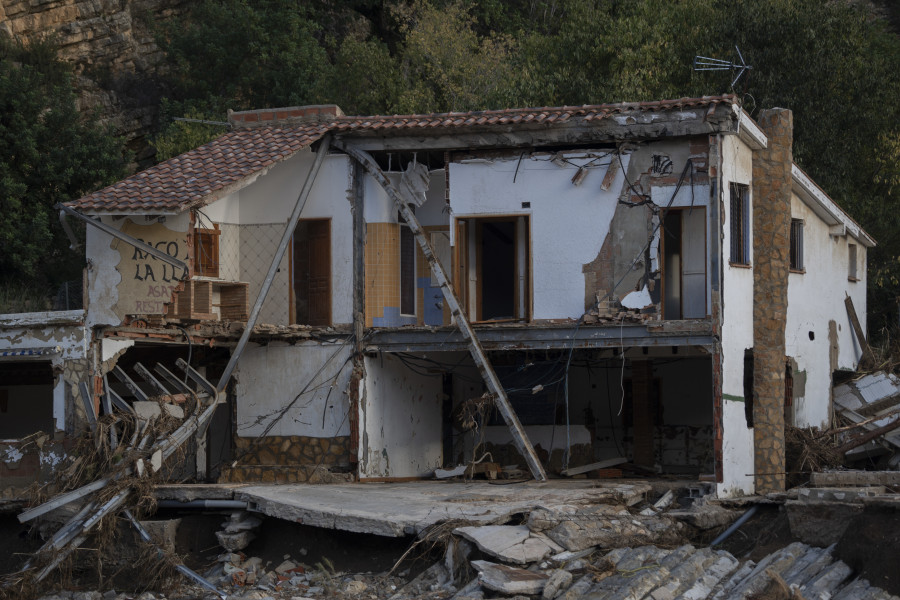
{"x": 113, "y": 52}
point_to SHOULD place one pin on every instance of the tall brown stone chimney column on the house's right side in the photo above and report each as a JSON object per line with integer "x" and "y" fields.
{"x": 771, "y": 263}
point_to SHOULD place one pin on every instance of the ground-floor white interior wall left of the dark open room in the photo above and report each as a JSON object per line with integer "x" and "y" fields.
{"x": 399, "y": 421}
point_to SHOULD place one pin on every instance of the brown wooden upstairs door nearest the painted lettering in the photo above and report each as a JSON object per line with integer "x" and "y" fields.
{"x": 312, "y": 272}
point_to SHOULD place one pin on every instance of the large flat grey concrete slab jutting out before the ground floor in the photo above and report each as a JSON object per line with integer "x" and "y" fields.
{"x": 399, "y": 509}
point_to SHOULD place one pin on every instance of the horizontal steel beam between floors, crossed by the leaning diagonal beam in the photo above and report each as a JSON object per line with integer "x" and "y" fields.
{"x": 534, "y": 338}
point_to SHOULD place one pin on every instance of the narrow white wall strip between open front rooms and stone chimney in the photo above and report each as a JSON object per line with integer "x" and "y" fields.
{"x": 737, "y": 329}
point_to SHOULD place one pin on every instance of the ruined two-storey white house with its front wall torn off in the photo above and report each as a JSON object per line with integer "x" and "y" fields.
{"x": 656, "y": 282}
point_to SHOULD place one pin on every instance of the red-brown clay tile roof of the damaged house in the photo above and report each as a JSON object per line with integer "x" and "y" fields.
{"x": 237, "y": 157}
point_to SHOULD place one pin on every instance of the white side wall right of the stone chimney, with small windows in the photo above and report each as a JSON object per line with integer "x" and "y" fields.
{"x": 815, "y": 298}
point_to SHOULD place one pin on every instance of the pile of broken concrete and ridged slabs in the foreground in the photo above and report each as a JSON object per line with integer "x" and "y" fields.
{"x": 606, "y": 551}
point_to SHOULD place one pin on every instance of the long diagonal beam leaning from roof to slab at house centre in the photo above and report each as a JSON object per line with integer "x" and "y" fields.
{"x": 520, "y": 439}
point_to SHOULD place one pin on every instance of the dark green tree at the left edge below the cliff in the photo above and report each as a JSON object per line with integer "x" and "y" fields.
{"x": 48, "y": 154}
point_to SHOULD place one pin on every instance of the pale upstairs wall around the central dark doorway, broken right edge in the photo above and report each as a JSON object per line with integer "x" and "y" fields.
{"x": 568, "y": 223}
